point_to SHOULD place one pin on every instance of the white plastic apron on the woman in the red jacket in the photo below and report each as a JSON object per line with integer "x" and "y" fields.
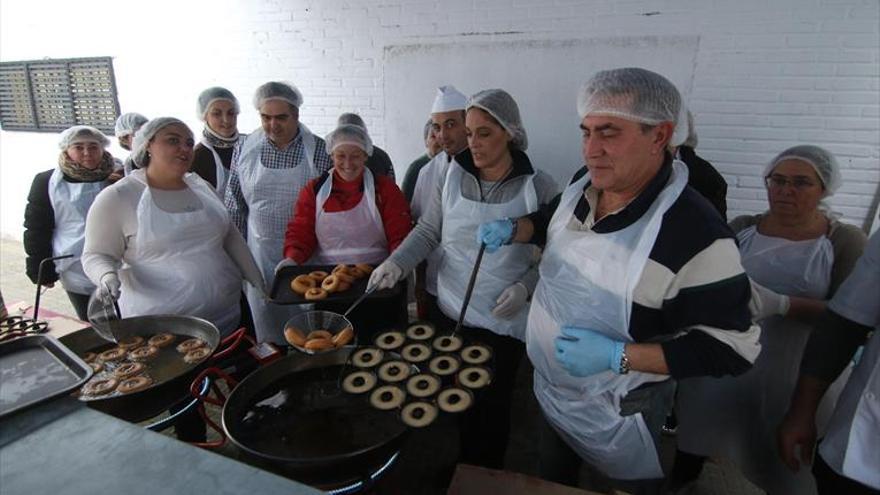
{"x": 353, "y": 236}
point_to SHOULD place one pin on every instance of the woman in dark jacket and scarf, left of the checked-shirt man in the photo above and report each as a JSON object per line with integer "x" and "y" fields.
{"x": 218, "y": 109}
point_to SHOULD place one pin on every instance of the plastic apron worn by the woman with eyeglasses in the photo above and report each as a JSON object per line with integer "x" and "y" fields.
{"x": 736, "y": 417}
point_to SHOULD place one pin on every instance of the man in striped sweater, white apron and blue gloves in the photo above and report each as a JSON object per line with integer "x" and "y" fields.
{"x": 640, "y": 281}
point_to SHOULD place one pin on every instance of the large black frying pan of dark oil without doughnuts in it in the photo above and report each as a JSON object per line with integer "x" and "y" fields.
{"x": 292, "y": 418}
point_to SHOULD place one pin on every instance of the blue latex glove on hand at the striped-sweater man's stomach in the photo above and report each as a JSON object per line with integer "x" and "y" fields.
{"x": 585, "y": 352}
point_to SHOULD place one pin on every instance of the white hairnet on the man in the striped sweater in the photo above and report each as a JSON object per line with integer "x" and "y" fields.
{"x": 631, "y": 93}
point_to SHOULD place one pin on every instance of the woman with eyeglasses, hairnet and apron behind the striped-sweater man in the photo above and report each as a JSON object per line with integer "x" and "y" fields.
{"x": 799, "y": 250}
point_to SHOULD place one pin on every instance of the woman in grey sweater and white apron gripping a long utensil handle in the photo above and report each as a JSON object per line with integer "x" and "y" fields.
{"x": 494, "y": 179}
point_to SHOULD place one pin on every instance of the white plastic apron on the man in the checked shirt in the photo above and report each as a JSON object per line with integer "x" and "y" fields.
{"x": 271, "y": 195}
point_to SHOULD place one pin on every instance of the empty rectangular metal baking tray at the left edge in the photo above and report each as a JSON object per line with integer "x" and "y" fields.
{"x": 37, "y": 368}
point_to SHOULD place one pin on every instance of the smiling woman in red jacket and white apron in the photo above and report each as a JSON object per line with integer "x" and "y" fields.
{"x": 350, "y": 215}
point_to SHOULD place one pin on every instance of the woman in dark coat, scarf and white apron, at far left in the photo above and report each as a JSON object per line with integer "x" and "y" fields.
{"x": 55, "y": 216}
